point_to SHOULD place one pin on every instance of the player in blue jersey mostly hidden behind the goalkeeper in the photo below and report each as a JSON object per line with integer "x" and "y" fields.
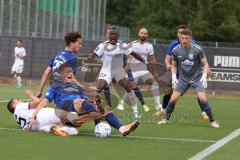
{"x": 168, "y": 58}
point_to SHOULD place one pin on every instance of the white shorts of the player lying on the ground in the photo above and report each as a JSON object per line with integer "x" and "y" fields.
{"x": 45, "y": 117}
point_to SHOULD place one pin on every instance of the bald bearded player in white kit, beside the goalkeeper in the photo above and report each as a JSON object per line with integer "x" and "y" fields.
{"x": 139, "y": 69}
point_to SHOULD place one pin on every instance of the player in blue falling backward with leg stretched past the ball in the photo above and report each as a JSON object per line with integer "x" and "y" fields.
{"x": 69, "y": 96}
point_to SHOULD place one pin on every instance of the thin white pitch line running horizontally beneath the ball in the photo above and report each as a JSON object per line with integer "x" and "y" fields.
{"x": 137, "y": 137}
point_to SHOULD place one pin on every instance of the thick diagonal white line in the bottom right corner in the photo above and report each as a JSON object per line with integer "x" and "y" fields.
{"x": 204, "y": 153}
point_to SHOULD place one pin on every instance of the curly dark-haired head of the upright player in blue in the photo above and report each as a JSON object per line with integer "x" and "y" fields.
{"x": 73, "y": 41}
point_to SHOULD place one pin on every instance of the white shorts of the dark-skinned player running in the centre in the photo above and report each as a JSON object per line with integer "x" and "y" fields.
{"x": 107, "y": 75}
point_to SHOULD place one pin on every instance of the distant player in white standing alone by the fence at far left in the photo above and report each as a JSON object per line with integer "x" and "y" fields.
{"x": 17, "y": 68}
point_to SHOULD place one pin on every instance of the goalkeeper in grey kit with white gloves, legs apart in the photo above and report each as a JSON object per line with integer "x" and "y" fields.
{"x": 188, "y": 59}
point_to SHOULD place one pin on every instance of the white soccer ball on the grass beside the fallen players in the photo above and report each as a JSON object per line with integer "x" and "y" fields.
{"x": 102, "y": 130}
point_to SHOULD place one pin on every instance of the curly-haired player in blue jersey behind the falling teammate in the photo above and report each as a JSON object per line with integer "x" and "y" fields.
{"x": 73, "y": 44}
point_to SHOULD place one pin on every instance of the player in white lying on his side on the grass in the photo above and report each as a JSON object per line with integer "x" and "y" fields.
{"x": 47, "y": 120}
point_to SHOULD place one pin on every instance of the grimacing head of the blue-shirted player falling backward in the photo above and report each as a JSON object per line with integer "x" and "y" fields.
{"x": 66, "y": 73}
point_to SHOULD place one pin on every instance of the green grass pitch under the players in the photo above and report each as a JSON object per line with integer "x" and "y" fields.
{"x": 184, "y": 137}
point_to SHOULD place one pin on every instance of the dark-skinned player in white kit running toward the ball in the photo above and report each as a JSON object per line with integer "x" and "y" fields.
{"x": 112, "y": 52}
